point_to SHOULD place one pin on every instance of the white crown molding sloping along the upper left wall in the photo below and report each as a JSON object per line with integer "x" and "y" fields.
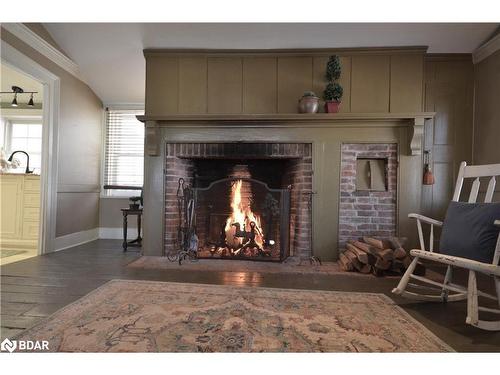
{"x": 40, "y": 45}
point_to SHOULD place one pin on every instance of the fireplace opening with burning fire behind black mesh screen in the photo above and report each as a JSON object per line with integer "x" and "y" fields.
{"x": 239, "y": 216}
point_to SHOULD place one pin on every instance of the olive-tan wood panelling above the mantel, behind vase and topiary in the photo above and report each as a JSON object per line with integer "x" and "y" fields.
{"x": 375, "y": 80}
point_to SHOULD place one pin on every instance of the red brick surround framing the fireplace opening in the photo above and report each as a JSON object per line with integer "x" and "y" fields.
{"x": 180, "y": 161}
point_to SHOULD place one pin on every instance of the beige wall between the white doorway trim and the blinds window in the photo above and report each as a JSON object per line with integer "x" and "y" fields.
{"x": 80, "y": 126}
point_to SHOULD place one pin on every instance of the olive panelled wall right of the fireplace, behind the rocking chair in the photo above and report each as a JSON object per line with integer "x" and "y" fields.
{"x": 448, "y": 92}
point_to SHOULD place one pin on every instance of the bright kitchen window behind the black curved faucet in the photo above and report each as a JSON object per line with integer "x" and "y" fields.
{"x": 25, "y": 135}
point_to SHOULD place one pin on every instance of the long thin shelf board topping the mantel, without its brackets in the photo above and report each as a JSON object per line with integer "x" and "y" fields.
{"x": 283, "y": 118}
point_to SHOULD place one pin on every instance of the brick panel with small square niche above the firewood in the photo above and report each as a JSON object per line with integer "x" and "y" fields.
{"x": 364, "y": 211}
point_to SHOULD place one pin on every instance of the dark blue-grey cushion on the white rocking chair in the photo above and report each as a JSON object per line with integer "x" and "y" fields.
{"x": 469, "y": 232}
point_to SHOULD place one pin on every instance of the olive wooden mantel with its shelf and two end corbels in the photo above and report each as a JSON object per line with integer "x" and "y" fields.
{"x": 415, "y": 120}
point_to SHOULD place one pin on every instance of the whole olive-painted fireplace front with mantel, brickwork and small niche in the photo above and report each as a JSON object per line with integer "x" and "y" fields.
{"x": 308, "y": 152}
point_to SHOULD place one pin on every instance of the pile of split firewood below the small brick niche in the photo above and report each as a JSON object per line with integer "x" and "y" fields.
{"x": 378, "y": 256}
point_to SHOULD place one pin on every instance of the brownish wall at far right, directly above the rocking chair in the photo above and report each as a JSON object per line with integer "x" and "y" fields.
{"x": 487, "y": 112}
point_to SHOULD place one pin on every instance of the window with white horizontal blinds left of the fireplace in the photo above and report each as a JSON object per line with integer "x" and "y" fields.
{"x": 124, "y": 154}
